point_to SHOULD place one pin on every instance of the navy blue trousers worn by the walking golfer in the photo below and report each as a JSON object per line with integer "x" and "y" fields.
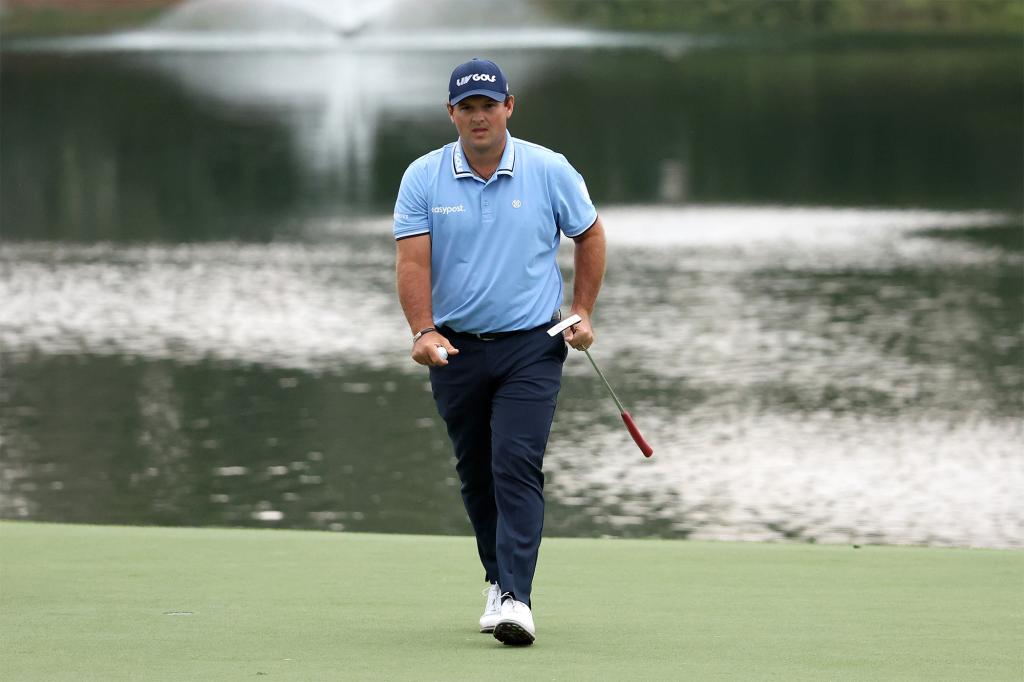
{"x": 498, "y": 400}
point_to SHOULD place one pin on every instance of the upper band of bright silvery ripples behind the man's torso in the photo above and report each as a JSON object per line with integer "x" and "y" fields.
{"x": 292, "y": 306}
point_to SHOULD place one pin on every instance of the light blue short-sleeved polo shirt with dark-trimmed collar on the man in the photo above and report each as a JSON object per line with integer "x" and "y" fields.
{"x": 494, "y": 243}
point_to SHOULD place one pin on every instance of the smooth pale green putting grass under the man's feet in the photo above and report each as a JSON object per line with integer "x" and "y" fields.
{"x": 82, "y": 603}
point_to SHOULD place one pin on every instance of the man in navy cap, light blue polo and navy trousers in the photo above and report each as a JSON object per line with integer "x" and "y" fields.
{"x": 478, "y": 226}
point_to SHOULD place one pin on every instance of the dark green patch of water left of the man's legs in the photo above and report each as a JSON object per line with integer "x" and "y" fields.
{"x": 237, "y": 446}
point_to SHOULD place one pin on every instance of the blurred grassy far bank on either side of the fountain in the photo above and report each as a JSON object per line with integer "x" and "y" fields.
{"x": 820, "y": 20}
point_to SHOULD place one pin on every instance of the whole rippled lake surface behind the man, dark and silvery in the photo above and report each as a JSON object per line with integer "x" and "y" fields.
{"x": 814, "y": 302}
